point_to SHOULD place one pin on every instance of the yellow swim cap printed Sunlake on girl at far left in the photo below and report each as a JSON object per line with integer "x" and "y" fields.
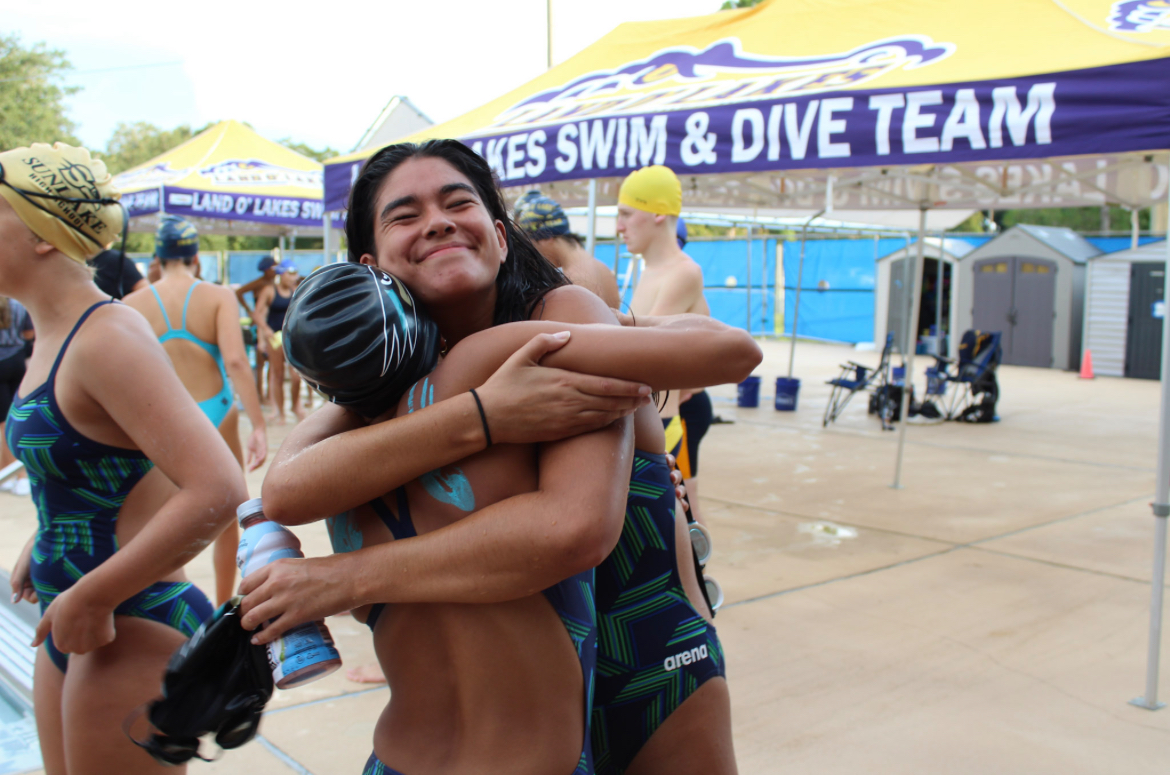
{"x": 44, "y": 184}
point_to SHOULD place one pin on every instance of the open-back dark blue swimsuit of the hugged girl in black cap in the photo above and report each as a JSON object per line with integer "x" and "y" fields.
{"x": 573, "y": 600}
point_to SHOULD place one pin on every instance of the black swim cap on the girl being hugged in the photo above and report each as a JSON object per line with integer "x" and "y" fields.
{"x": 355, "y": 334}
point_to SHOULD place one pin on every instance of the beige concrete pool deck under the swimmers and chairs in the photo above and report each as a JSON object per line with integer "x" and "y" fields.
{"x": 989, "y": 618}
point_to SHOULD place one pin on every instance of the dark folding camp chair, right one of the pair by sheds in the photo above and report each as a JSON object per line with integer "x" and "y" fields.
{"x": 973, "y": 385}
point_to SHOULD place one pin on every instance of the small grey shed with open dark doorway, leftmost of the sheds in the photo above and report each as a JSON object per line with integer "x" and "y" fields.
{"x": 890, "y": 300}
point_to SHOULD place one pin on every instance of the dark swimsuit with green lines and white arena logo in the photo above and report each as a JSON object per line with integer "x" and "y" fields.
{"x": 655, "y": 648}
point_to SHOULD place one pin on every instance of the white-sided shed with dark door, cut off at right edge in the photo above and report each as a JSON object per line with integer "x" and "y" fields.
{"x": 1124, "y": 312}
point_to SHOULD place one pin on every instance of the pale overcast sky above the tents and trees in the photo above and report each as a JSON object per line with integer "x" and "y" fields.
{"x": 318, "y": 73}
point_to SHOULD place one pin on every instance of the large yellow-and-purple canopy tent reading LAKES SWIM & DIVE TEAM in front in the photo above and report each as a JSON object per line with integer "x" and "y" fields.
{"x": 861, "y": 105}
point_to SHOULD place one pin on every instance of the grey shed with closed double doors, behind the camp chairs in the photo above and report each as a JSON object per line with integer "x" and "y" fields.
{"x": 1029, "y": 285}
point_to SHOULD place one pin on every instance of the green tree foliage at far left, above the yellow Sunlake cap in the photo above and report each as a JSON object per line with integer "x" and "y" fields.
{"x": 32, "y": 99}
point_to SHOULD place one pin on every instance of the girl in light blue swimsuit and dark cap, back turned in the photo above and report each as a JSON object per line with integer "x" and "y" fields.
{"x": 214, "y": 312}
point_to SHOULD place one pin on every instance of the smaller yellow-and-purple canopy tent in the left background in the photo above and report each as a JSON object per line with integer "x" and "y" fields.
{"x": 228, "y": 180}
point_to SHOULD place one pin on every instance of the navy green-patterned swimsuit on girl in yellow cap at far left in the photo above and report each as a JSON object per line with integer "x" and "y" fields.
{"x": 79, "y": 486}
